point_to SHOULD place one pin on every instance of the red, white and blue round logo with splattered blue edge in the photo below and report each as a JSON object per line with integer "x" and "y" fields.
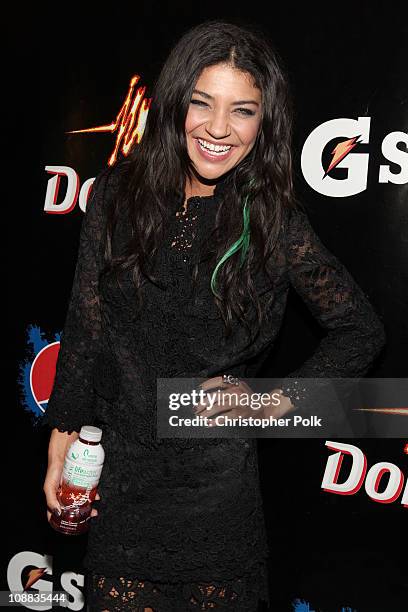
{"x": 37, "y": 373}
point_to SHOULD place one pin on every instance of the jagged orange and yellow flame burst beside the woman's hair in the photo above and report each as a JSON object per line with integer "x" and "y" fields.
{"x": 129, "y": 123}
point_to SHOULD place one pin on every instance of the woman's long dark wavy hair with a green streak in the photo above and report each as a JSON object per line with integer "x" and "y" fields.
{"x": 157, "y": 169}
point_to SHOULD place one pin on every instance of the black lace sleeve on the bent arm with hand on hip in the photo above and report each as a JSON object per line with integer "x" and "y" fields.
{"x": 355, "y": 335}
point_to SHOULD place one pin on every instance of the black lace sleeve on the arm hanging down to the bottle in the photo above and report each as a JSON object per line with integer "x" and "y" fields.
{"x": 72, "y": 398}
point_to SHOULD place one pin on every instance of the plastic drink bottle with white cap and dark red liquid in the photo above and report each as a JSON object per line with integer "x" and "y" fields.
{"x": 80, "y": 477}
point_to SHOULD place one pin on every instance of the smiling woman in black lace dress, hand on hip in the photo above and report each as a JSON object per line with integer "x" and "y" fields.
{"x": 187, "y": 251}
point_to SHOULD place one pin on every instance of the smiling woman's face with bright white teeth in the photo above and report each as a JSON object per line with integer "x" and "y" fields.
{"x": 223, "y": 120}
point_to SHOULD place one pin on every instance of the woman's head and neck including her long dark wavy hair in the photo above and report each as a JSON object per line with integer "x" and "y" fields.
{"x": 221, "y": 121}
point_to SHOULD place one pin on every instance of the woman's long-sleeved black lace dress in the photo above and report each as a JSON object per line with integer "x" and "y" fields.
{"x": 180, "y": 524}
